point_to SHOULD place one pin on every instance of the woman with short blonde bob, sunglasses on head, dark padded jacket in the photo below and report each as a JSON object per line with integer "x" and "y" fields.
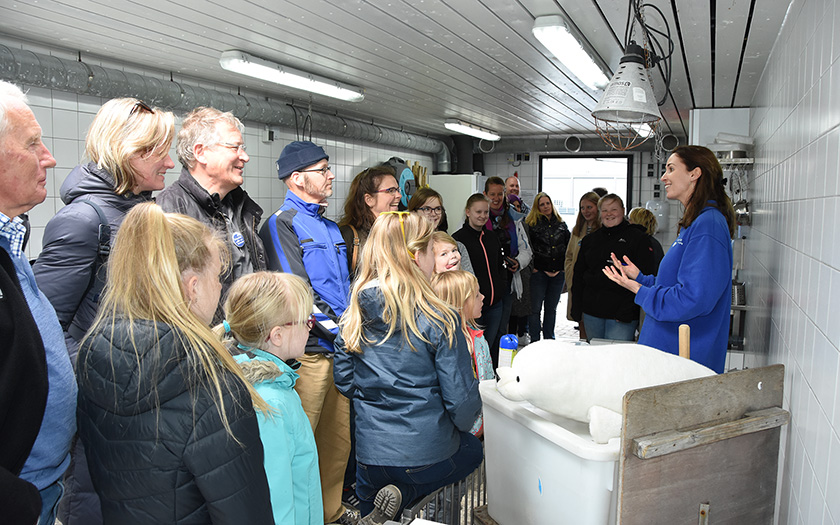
{"x": 127, "y": 148}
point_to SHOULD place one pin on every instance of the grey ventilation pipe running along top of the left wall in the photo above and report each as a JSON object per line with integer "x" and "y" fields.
{"x": 34, "y": 69}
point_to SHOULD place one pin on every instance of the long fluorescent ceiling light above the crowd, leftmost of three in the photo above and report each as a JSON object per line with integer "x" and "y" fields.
{"x": 245, "y": 64}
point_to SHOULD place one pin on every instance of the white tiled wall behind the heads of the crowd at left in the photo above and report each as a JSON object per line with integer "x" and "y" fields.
{"x": 65, "y": 118}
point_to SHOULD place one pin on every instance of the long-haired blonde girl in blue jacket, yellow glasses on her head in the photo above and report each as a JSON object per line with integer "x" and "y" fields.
{"x": 405, "y": 364}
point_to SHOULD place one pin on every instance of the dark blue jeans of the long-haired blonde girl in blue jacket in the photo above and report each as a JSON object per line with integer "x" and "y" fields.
{"x": 417, "y": 482}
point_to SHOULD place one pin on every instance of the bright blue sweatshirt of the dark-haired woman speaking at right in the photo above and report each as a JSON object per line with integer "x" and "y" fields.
{"x": 693, "y": 287}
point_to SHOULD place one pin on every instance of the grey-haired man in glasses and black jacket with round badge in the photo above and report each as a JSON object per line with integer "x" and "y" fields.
{"x": 212, "y": 153}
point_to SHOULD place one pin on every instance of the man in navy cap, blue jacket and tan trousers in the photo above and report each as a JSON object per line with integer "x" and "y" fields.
{"x": 300, "y": 240}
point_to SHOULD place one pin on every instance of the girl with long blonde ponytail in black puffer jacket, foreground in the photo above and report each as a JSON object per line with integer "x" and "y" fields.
{"x": 163, "y": 410}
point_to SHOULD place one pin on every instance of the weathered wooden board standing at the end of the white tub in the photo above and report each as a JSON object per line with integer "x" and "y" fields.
{"x": 736, "y": 477}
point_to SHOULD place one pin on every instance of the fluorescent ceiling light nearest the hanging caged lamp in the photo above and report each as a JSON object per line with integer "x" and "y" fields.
{"x": 563, "y": 41}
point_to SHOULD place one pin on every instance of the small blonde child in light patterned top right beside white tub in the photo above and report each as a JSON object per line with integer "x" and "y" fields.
{"x": 459, "y": 289}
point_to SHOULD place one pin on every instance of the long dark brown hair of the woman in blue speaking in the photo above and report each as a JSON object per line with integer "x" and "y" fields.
{"x": 709, "y": 186}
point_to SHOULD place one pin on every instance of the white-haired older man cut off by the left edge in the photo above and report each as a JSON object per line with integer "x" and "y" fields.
{"x": 37, "y": 385}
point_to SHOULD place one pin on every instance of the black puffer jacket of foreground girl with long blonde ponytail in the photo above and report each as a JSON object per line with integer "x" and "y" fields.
{"x": 157, "y": 449}
